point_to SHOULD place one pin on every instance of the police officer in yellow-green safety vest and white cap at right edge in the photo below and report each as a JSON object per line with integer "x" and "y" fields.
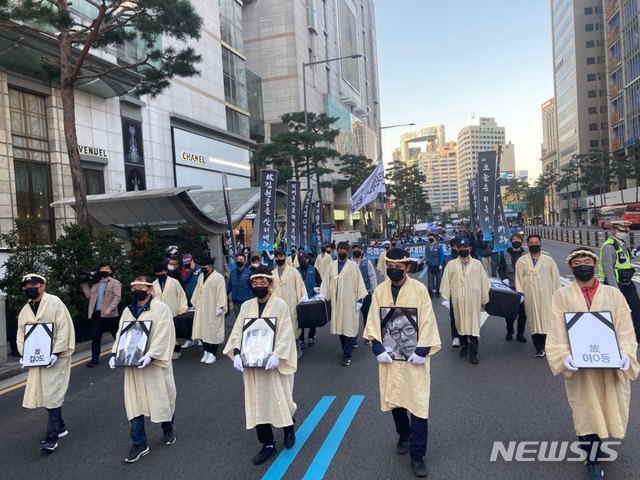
{"x": 615, "y": 269}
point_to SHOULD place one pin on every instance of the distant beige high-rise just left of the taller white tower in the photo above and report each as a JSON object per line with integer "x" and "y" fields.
{"x": 440, "y": 167}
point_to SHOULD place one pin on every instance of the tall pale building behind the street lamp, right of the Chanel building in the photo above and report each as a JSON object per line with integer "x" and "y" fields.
{"x": 282, "y": 36}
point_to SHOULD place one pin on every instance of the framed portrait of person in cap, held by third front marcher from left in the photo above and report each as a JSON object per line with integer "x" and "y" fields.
{"x": 258, "y": 341}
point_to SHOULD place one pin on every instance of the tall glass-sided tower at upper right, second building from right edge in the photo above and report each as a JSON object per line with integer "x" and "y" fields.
{"x": 580, "y": 87}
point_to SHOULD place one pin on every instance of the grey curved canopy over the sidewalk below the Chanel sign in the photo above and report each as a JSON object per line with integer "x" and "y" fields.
{"x": 169, "y": 208}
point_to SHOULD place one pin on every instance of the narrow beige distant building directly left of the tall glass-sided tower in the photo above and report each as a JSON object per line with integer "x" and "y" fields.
{"x": 549, "y": 156}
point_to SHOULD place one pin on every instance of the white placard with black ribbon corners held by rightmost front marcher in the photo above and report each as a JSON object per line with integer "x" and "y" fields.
{"x": 592, "y": 338}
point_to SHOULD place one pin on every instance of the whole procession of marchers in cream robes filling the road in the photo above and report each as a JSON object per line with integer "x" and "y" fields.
{"x": 277, "y": 308}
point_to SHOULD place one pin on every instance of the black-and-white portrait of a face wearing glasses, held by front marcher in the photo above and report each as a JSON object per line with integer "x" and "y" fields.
{"x": 399, "y": 331}
